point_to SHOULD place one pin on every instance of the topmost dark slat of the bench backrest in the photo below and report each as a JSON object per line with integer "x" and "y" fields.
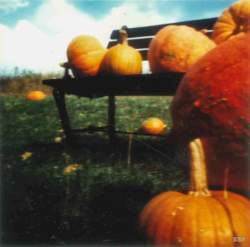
{"x": 151, "y": 30}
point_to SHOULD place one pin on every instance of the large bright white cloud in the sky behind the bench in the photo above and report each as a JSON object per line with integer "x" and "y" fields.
{"x": 41, "y": 44}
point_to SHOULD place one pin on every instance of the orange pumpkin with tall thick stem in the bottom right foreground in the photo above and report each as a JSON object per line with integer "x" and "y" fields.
{"x": 200, "y": 218}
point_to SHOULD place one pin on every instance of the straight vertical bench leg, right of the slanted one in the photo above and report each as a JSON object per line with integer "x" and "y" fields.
{"x": 111, "y": 118}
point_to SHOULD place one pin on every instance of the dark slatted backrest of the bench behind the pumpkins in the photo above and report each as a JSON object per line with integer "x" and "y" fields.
{"x": 140, "y": 37}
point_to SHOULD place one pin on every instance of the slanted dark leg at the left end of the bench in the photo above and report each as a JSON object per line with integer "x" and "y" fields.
{"x": 62, "y": 110}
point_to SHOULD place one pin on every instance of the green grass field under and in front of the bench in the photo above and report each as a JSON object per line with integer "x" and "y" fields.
{"x": 100, "y": 201}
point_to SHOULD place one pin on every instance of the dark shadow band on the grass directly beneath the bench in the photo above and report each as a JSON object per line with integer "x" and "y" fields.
{"x": 98, "y": 149}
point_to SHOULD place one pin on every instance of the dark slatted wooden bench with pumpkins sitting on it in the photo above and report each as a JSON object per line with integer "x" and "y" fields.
{"x": 112, "y": 86}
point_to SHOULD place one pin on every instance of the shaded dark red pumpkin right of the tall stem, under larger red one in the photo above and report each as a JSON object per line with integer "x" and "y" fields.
{"x": 221, "y": 154}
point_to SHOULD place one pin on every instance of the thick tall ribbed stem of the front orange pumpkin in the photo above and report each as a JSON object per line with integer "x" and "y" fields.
{"x": 198, "y": 176}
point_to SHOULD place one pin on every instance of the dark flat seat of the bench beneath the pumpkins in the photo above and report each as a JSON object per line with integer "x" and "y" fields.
{"x": 96, "y": 86}
